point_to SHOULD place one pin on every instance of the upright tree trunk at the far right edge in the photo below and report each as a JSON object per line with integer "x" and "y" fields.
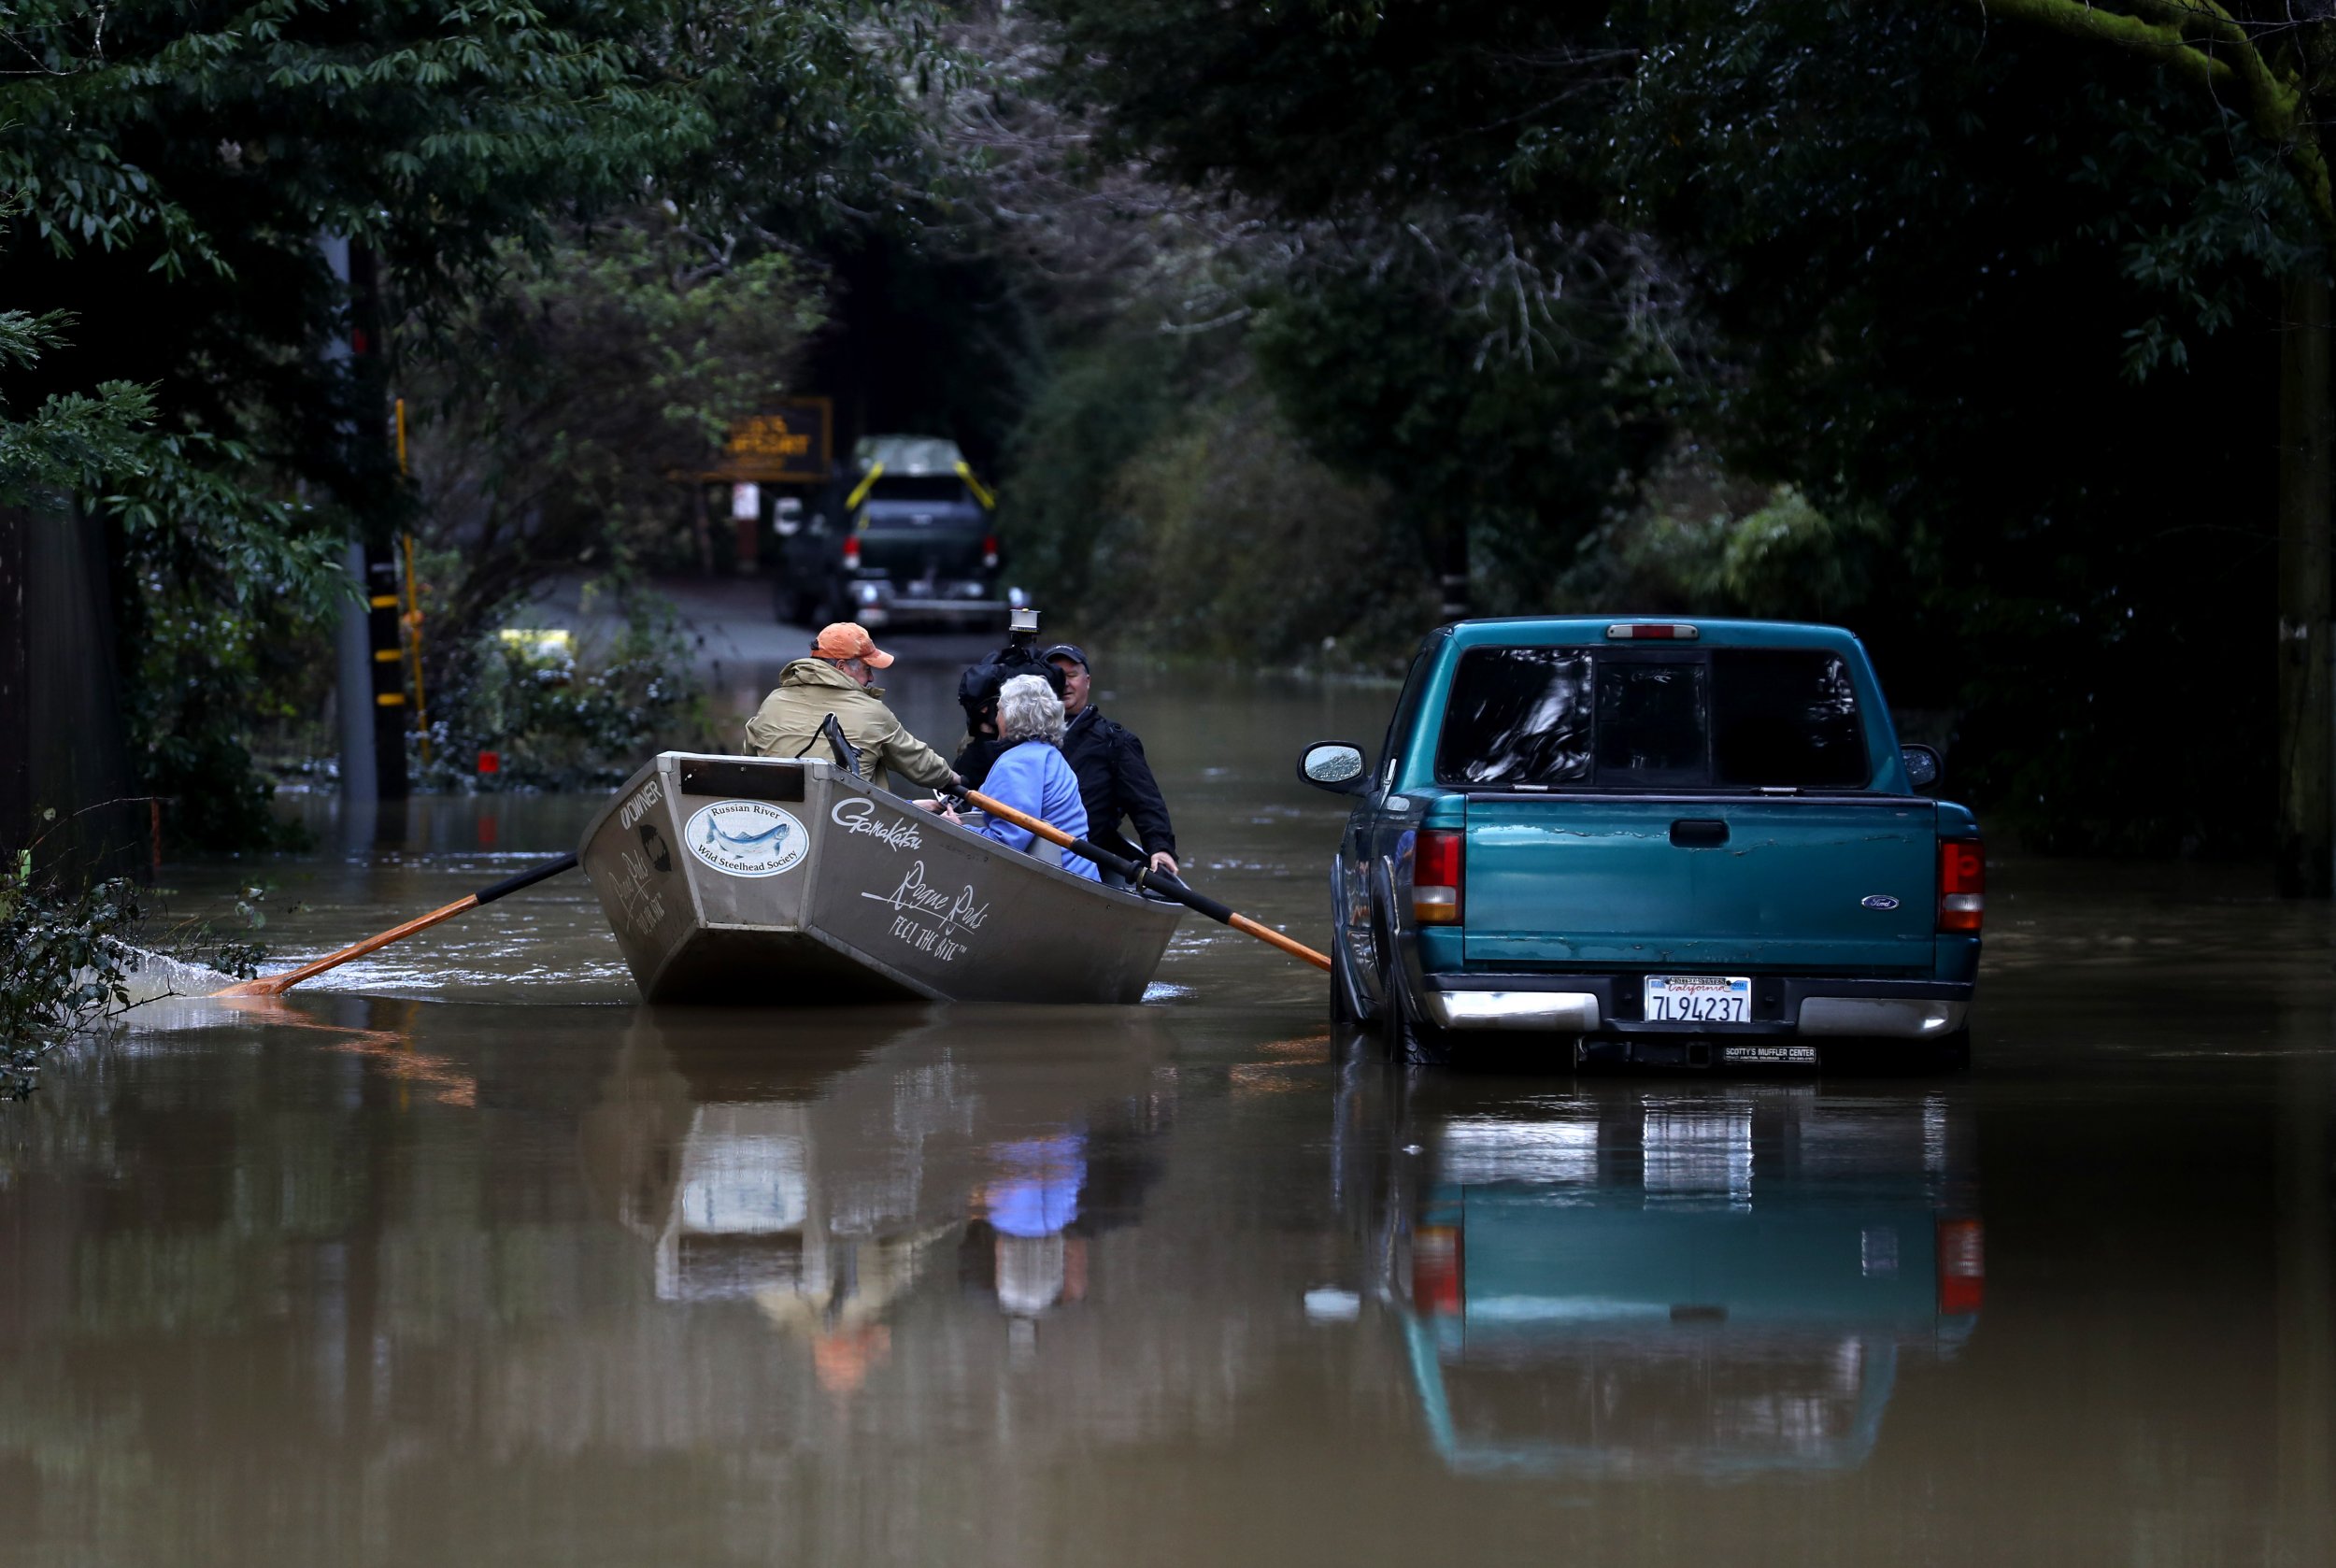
{"x": 2307, "y": 842}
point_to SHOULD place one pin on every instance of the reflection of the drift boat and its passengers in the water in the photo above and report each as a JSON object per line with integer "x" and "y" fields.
{"x": 823, "y": 1186}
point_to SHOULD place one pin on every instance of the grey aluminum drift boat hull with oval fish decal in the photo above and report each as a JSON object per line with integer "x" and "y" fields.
{"x": 777, "y": 882}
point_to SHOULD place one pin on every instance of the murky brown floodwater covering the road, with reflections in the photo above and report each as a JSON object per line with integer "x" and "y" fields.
{"x": 471, "y": 1258}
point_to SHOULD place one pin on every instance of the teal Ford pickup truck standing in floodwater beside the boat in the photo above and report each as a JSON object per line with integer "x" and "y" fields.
{"x": 1662, "y": 842}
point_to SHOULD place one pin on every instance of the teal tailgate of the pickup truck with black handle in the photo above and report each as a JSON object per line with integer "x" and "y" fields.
{"x": 1702, "y": 884}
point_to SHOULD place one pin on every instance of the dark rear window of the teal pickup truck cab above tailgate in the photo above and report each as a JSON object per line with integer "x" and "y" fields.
{"x": 1720, "y": 719}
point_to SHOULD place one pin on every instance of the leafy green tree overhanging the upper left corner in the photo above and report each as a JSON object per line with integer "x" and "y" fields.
{"x": 176, "y": 167}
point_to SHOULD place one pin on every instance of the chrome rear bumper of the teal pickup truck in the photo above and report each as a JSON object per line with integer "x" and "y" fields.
{"x": 1784, "y": 1006}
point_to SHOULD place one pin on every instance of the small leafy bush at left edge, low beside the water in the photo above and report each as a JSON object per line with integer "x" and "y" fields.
{"x": 62, "y": 964}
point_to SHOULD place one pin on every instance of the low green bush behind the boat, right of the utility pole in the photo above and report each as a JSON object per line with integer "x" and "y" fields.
{"x": 569, "y": 716}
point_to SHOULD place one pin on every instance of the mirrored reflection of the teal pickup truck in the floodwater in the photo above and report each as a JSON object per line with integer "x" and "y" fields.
{"x": 1646, "y": 1282}
